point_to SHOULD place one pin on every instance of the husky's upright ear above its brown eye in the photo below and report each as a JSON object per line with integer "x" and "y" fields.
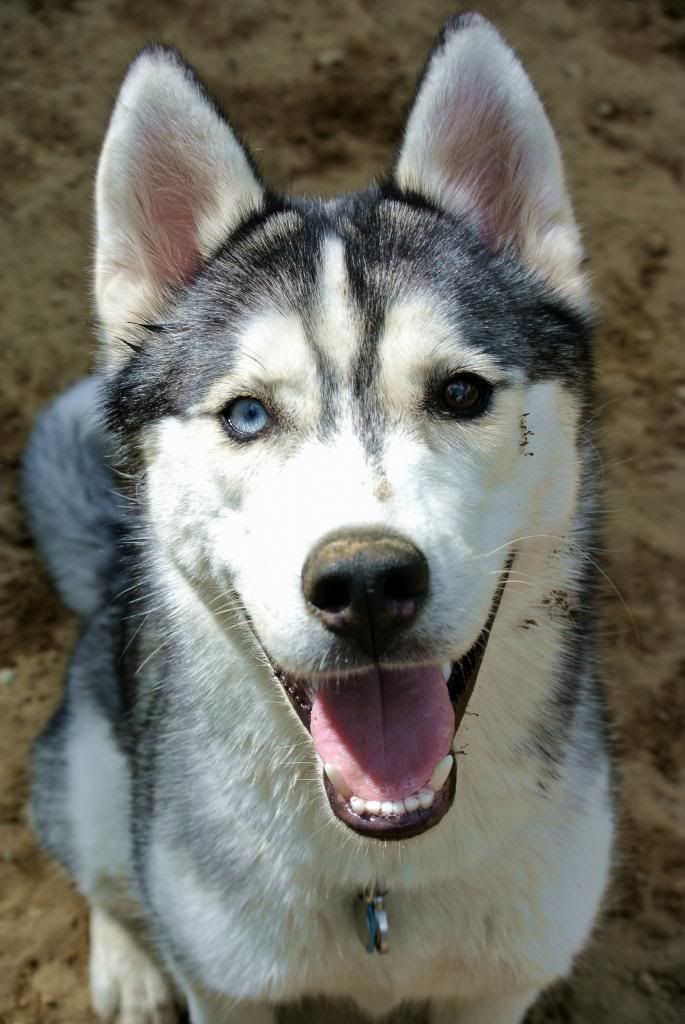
{"x": 479, "y": 144}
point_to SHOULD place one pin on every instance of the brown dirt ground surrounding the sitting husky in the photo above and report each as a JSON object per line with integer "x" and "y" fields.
{"x": 320, "y": 91}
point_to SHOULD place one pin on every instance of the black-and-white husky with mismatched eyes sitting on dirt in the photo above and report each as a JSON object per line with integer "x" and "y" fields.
{"x": 327, "y": 513}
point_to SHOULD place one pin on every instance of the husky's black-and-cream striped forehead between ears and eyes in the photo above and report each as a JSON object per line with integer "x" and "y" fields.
{"x": 350, "y": 306}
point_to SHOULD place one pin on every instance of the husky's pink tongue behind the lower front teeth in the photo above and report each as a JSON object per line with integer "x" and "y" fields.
{"x": 384, "y": 730}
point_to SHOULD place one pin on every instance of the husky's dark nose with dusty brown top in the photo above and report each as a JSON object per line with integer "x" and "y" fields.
{"x": 366, "y": 586}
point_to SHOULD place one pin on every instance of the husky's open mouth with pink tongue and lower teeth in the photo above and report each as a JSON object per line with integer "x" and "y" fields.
{"x": 387, "y": 739}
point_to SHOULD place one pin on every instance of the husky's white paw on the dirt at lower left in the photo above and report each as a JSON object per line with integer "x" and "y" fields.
{"x": 126, "y": 988}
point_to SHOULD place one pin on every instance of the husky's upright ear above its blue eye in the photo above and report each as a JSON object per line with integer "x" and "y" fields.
{"x": 174, "y": 181}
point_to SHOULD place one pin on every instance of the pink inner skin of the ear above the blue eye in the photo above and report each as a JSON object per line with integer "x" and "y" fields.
{"x": 170, "y": 198}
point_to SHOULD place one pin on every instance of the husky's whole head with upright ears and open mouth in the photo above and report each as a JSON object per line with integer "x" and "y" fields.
{"x": 348, "y": 413}
